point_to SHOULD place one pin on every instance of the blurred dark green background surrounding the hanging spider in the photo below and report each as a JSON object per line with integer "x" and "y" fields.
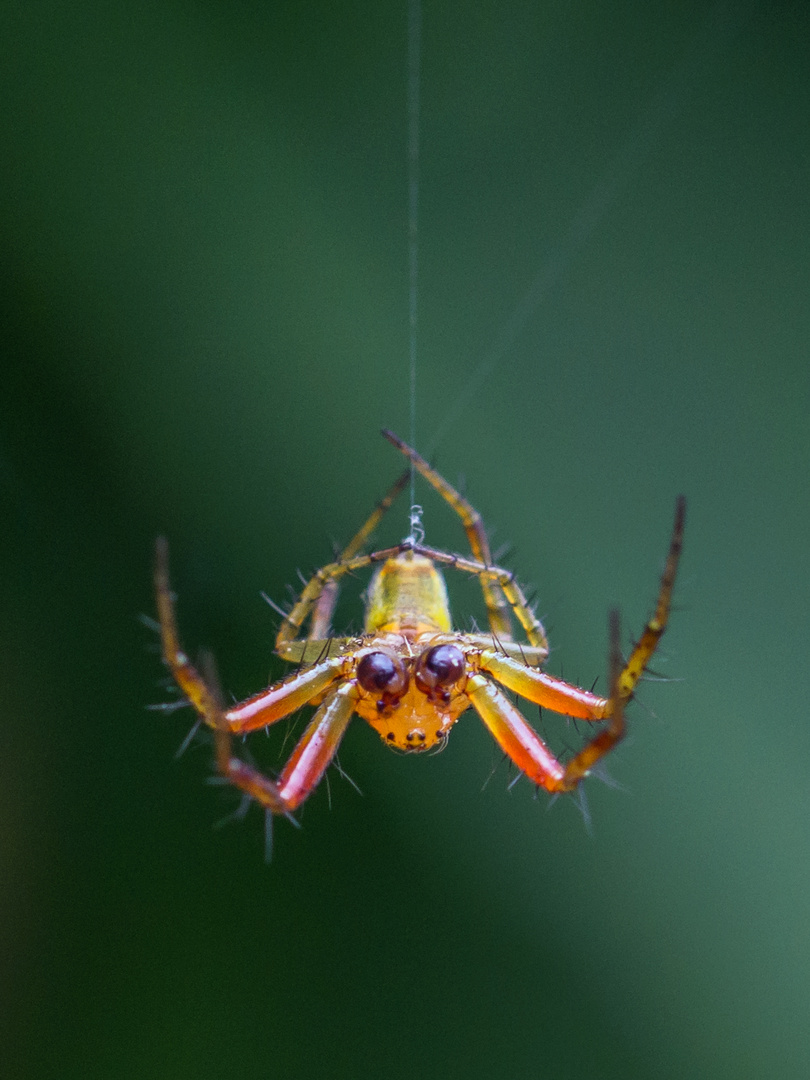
{"x": 205, "y": 328}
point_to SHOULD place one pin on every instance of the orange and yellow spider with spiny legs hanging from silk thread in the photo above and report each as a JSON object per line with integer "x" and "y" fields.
{"x": 410, "y": 674}
